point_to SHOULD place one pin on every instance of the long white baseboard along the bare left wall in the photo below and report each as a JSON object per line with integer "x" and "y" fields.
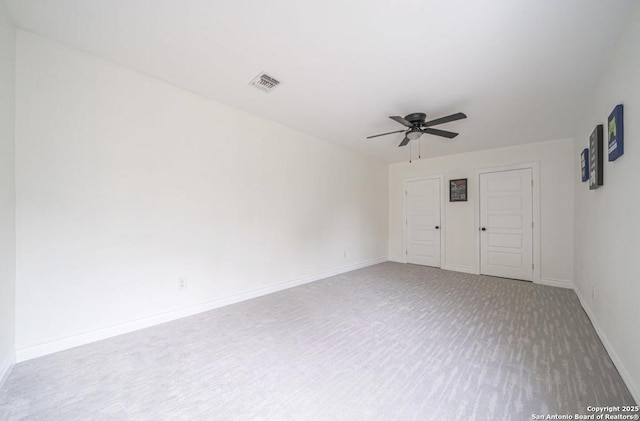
{"x": 82, "y": 338}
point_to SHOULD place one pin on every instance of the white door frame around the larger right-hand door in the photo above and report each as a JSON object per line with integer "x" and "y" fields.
{"x": 535, "y": 192}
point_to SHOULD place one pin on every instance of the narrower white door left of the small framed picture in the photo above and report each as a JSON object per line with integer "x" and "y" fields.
{"x": 423, "y": 222}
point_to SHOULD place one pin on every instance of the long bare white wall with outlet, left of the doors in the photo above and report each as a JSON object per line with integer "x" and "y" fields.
{"x": 124, "y": 184}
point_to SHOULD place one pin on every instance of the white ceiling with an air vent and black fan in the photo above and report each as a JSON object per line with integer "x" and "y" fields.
{"x": 520, "y": 69}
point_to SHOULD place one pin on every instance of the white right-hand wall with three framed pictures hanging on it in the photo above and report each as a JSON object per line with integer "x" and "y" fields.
{"x": 607, "y": 231}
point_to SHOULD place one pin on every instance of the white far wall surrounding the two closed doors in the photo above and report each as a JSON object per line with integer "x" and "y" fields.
{"x": 556, "y": 204}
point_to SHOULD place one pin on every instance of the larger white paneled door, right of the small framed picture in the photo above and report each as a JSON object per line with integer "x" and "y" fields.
{"x": 506, "y": 224}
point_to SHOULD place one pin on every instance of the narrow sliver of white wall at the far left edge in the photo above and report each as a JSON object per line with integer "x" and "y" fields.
{"x": 7, "y": 193}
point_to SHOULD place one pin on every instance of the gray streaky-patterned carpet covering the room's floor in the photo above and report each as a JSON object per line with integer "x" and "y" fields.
{"x": 387, "y": 342}
